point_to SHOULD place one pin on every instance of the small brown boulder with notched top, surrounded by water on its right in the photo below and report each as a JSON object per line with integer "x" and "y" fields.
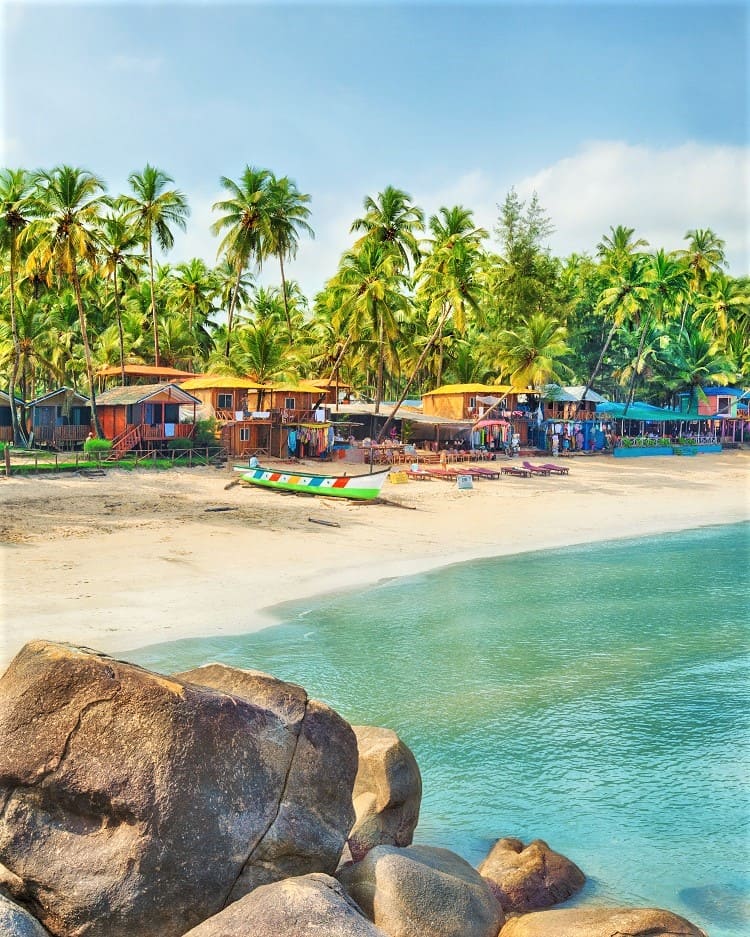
{"x": 527, "y": 878}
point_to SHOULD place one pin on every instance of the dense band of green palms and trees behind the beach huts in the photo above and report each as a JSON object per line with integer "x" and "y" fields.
{"x": 416, "y": 301}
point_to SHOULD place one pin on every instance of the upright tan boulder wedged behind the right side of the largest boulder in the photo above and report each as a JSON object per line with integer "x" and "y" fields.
{"x": 387, "y": 792}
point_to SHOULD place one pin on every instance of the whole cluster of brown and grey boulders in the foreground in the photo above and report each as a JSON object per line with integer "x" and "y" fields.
{"x": 219, "y": 803}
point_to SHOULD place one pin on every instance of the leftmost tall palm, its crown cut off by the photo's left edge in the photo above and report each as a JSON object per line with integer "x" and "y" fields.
{"x": 16, "y": 209}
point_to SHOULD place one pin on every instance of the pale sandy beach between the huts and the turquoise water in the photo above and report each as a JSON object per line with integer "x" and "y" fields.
{"x": 131, "y": 559}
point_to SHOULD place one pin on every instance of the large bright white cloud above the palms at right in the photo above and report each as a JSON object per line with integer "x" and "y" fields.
{"x": 662, "y": 193}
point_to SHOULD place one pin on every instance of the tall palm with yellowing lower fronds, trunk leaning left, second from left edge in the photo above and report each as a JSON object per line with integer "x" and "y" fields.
{"x": 65, "y": 241}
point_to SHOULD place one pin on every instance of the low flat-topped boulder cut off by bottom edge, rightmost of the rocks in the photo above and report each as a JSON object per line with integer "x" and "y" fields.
{"x": 601, "y": 922}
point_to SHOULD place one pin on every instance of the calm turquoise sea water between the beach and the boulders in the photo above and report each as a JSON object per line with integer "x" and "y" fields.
{"x": 596, "y": 697}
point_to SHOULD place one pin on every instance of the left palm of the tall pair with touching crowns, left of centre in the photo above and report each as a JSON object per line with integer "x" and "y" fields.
{"x": 244, "y": 223}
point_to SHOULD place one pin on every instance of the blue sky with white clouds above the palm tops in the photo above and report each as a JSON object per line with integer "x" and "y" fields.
{"x": 633, "y": 114}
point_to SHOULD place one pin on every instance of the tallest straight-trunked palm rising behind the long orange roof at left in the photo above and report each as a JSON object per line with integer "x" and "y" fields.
{"x": 153, "y": 208}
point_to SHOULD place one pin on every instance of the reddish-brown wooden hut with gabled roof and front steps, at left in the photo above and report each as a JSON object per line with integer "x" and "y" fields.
{"x": 145, "y": 416}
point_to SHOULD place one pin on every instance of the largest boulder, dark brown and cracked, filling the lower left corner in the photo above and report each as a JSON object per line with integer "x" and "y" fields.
{"x": 136, "y": 804}
